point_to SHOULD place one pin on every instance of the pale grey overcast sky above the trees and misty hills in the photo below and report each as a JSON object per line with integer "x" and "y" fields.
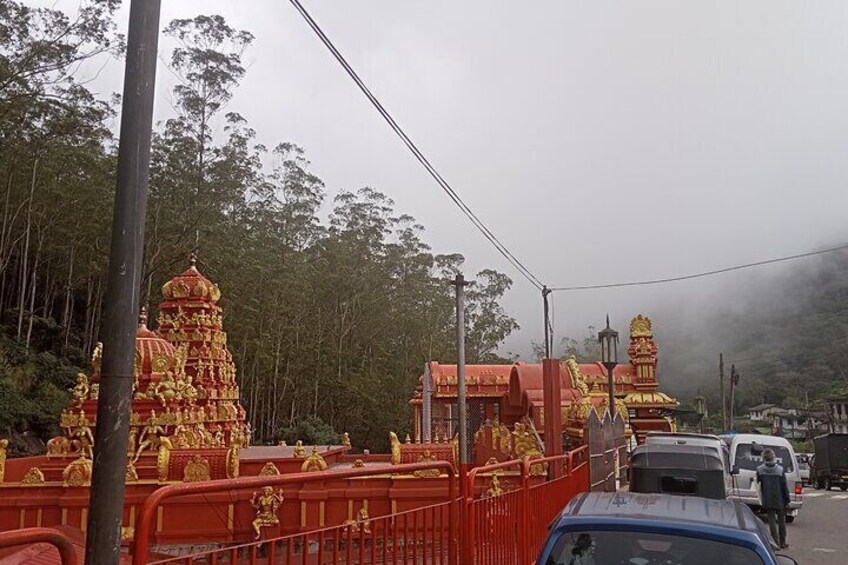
{"x": 601, "y": 141}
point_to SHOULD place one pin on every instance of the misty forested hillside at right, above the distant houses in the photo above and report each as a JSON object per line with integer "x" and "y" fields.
{"x": 786, "y": 334}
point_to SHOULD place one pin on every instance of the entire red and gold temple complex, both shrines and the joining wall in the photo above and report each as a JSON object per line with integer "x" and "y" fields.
{"x": 187, "y": 425}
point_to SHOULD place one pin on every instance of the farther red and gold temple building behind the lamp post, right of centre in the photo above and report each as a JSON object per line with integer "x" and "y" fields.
{"x": 506, "y": 396}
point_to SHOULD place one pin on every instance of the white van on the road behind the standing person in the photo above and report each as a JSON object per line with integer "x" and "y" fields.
{"x": 746, "y": 454}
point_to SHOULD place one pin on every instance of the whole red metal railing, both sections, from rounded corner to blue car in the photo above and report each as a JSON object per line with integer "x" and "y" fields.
{"x": 499, "y": 526}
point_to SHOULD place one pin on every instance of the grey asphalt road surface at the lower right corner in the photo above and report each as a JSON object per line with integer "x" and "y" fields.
{"x": 818, "y": 536}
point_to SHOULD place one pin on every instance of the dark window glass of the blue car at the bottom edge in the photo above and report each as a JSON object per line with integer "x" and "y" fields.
{"x": 599, "y": 547}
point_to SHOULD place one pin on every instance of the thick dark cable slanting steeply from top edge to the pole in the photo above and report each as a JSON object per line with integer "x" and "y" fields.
{"x": 478, "y": 223}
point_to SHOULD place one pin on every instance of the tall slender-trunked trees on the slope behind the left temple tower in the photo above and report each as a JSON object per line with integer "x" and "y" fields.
{"x": 333, "y": 300}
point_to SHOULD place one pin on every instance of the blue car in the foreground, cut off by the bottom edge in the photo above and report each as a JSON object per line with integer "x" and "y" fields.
{"x": 657, "y": 529}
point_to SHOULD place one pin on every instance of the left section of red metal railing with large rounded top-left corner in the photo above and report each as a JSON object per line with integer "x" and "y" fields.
{"x": 427, "y": 533}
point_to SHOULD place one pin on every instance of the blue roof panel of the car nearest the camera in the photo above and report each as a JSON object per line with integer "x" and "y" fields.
{"x": 667, "y": 508}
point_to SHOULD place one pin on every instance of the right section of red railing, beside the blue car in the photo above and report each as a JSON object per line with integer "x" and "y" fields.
{"x": 510, "y": 527}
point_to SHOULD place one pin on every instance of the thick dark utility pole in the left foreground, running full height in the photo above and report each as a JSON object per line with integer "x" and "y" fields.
{"x": 106, "y": 503}
